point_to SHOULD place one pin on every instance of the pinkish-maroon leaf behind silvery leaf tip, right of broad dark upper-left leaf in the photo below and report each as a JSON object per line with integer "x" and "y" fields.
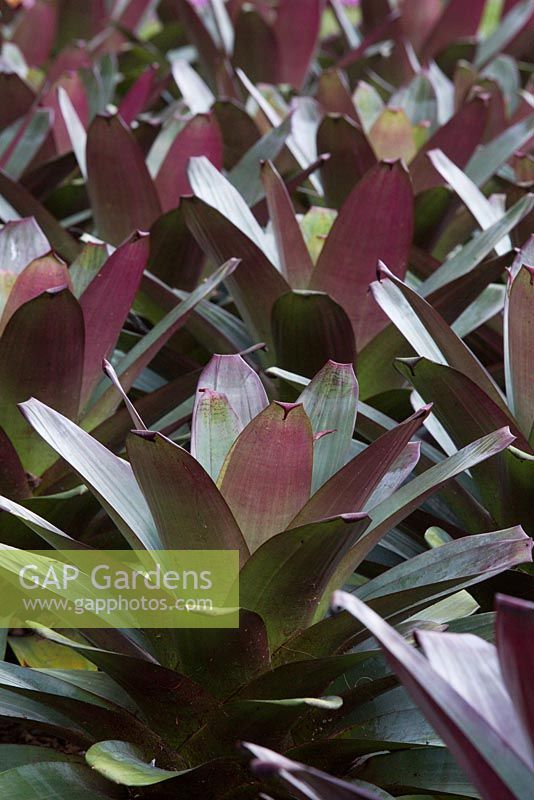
{"x": 201, "y": 136}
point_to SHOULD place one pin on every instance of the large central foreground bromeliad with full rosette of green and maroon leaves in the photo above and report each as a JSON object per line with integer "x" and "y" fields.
{"x": 279, "y": 483}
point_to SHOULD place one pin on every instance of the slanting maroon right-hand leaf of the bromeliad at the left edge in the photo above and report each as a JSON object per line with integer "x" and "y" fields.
{"x": 105, "y": 304}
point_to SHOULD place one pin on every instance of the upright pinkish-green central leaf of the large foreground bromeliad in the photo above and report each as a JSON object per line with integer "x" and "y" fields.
{"x": 267, "y": 475}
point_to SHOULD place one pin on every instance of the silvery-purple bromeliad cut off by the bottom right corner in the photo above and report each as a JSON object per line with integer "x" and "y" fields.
{"x": 478, "y": 696}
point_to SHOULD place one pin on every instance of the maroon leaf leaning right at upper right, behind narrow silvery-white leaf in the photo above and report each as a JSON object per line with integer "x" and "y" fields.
{"x": 457, "y": 139}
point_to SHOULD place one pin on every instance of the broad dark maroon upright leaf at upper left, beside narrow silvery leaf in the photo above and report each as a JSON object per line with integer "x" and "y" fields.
{"x": 122, "y": 193}
